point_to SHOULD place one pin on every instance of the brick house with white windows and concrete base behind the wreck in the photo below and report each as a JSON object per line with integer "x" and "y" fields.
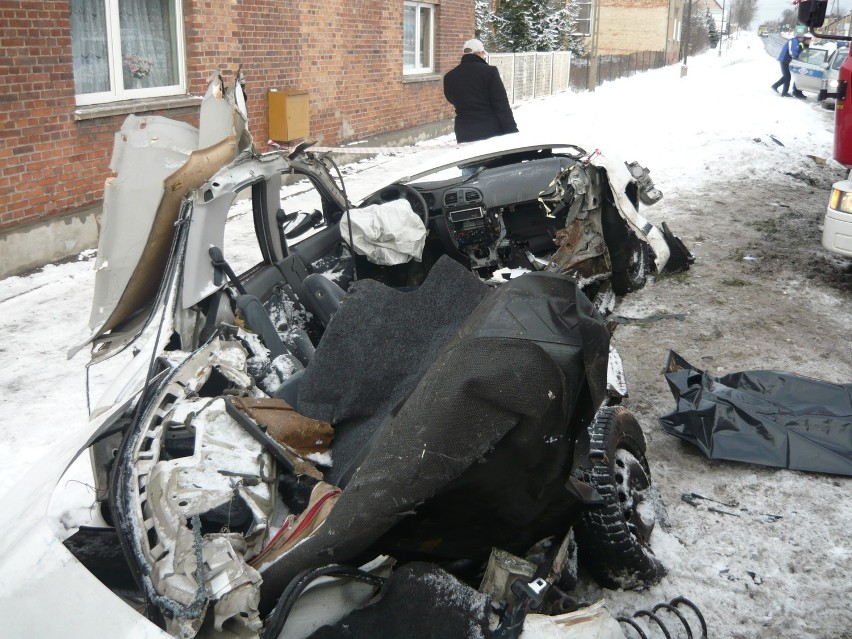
{"x": 73, "y": 70}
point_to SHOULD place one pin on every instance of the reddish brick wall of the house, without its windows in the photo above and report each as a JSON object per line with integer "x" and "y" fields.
{"x": 346, "y": 54}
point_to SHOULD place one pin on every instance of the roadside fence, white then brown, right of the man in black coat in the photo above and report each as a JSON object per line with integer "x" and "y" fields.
{"x": 530, "y": 75}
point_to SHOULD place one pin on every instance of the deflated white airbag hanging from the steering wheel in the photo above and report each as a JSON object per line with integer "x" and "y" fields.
{"x": 387, "y": 234}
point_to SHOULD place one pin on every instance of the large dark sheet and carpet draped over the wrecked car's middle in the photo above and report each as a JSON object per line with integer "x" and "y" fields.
{"x": 475, "y": 455}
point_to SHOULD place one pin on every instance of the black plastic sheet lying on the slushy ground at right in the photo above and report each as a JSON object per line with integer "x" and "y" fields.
{"x": 762, "y": 417}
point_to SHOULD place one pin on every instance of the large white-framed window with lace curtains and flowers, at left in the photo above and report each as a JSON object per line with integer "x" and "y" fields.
{"x": 125, "y": 49}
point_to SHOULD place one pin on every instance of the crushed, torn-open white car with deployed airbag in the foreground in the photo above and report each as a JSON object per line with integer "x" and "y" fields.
{"x": 400, "y": 399}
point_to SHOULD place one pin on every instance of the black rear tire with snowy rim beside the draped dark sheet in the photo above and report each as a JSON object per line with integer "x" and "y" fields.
{"x": 613, "y": 538}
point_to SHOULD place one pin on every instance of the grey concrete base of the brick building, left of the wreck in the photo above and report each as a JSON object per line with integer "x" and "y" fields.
{"x": 34, "y": 245}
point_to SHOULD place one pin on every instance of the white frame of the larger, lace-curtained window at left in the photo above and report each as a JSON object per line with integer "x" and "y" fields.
{"x": 113, "y": 35}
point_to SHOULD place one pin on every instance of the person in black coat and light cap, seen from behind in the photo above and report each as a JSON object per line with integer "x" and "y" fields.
{"x": 476, "y": 91}
